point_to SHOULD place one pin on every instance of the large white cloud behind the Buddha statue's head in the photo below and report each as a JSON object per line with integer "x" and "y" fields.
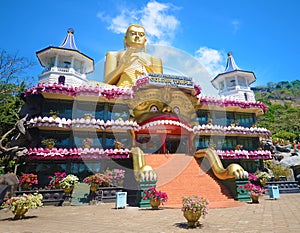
{"x": 156, "y": 17}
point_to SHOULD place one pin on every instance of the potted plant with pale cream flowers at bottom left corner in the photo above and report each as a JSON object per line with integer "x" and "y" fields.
{"x": 20, "y": 205}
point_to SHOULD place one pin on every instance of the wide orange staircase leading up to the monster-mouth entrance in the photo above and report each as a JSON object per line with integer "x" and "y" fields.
{"x": 180, "y": 175}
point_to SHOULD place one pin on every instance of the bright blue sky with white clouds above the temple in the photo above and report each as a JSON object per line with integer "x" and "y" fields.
{"x": 263, "y": 36}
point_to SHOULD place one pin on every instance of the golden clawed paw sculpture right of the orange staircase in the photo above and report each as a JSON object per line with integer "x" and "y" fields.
{"x": 232, "y": 171}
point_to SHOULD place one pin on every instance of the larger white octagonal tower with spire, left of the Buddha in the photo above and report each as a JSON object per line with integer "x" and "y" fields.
{"x": 64, "y": 64}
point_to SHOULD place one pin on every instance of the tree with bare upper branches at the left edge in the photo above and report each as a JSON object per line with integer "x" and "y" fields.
{"x": 12, "y": 84}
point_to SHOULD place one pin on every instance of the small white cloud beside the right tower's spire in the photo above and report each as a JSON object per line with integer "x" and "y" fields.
{"x": 213, "y": 60}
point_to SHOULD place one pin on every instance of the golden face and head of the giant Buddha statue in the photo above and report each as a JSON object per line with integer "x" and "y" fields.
{"x": 135, "y": 37}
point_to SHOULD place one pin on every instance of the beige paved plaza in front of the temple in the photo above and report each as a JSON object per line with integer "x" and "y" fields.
{"x": 281, "y": 215}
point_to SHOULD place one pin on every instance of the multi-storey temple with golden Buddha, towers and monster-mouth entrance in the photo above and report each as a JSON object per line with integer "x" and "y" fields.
{"x": 158, "y": 127}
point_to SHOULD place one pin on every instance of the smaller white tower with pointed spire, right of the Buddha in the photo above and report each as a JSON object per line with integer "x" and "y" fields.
{"x": 234, "y": 82}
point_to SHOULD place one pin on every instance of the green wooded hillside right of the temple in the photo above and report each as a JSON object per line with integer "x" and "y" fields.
{"x": 283, "y": 100}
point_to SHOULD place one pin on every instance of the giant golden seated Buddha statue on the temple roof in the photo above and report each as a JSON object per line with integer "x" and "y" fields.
{"x": 123, "y": 68}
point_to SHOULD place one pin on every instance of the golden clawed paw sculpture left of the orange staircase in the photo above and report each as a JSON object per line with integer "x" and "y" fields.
{"x": 141, "y": 170}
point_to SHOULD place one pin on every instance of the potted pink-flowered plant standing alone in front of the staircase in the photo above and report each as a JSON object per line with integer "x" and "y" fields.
{"x": 193, "y": 208}
